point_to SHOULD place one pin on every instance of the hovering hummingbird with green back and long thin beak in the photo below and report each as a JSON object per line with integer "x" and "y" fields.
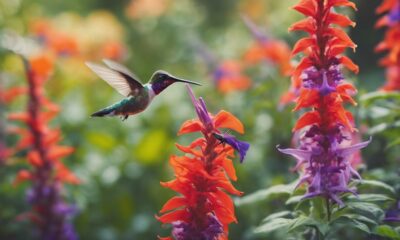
{"x": 137, "y": 96}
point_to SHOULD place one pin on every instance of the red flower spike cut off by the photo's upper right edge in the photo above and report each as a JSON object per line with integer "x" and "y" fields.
{"x": 390, "y": 43}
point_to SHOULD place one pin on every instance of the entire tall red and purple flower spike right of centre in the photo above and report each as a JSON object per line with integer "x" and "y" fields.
{"x": 323, "y": 153}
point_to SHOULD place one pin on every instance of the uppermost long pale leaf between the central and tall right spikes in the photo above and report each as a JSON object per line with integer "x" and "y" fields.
{"x": 265, "y": 194}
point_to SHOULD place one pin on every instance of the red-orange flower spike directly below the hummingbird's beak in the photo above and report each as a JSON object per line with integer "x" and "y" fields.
{"x": 204, "y": 209}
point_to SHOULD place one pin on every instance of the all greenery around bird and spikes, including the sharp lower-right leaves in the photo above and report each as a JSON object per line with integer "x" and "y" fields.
{"x": 120, "y": 164}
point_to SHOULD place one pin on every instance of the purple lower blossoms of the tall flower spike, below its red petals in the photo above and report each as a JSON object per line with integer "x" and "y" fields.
{"x": 325, "y": 165}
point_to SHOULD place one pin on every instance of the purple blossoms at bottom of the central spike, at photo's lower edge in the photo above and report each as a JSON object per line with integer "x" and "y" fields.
{"x": 211, "y": 230}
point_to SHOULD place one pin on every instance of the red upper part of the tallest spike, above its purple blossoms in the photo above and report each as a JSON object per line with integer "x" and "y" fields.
{"x": 318, "y": 69}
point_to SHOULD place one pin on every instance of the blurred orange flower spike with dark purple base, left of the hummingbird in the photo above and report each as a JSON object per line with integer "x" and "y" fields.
{"x": 51, "y": 214}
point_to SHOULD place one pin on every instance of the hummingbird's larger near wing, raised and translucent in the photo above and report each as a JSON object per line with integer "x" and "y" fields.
{"x": 120, "y": 81}
